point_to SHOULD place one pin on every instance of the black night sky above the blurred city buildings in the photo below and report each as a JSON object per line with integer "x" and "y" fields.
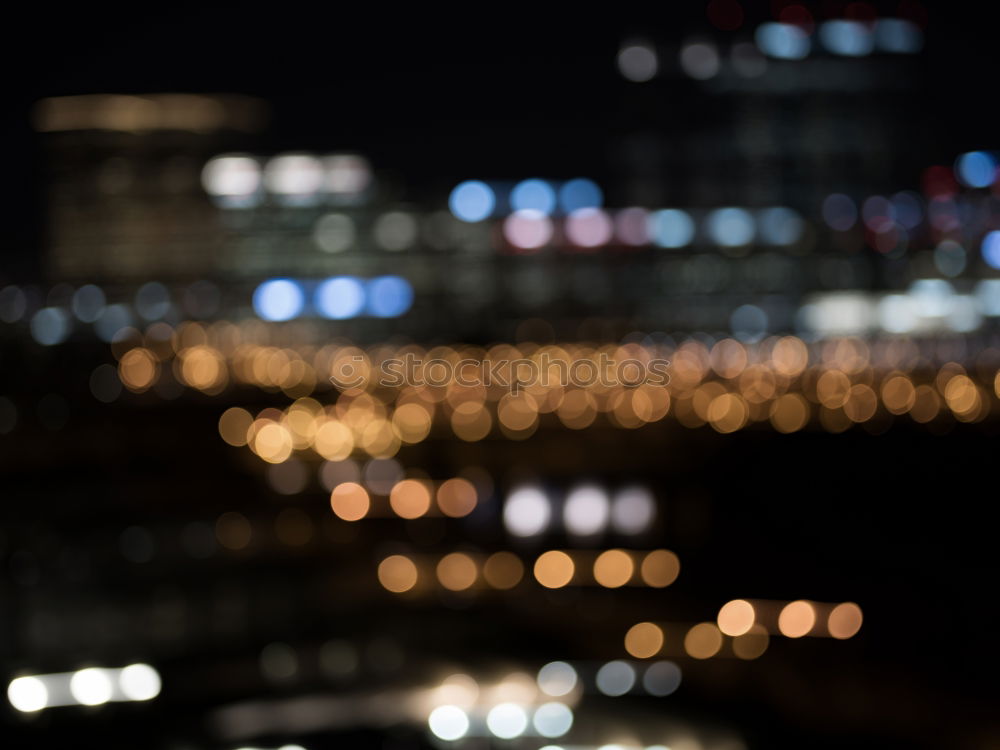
{"x": 491, "y": 90}
